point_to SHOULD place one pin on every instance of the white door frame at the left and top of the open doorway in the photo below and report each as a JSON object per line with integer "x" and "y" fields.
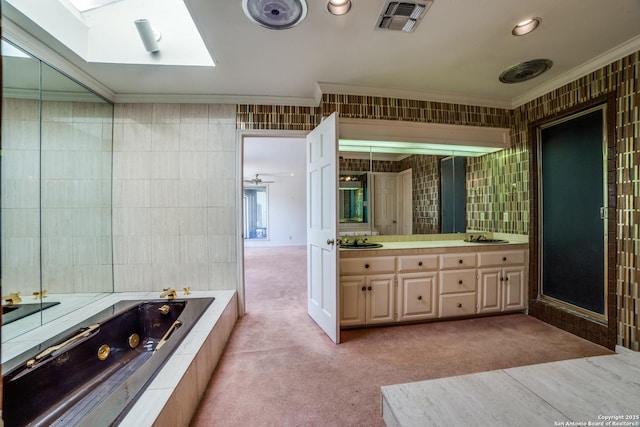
{"x": 241, "y": 134}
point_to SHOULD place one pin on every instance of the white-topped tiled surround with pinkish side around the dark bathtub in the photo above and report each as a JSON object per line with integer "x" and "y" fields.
{"x": 173, "y": 395}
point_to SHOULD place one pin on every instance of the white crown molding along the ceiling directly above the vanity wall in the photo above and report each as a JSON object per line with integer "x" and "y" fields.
{"x": 451, "y": 98}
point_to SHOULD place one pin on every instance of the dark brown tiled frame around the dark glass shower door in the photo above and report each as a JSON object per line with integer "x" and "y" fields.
{"x": 603, "y": 331}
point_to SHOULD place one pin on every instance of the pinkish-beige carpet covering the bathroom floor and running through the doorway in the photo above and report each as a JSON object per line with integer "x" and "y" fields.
{"x": 279, "y": 369}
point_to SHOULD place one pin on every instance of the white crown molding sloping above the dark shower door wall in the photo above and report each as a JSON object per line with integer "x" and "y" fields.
{"x": 612, "y": 55}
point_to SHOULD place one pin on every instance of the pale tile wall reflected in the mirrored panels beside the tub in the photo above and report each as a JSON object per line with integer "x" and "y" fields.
{"x": 61, "y": 222}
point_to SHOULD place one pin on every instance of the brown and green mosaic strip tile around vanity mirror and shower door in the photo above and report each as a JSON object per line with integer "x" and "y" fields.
{"x": 490, "y": 179}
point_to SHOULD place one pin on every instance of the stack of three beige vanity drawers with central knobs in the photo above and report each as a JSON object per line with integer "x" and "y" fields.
{"x": 458, "y": 285}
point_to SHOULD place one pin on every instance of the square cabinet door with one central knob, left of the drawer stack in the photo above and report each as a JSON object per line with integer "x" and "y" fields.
{"x": 417, "y": 296}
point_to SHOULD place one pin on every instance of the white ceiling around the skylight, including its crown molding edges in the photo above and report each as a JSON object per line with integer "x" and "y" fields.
{"x": 456, "y": 54}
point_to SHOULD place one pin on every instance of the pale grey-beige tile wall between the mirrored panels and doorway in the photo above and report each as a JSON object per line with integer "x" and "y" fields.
{"x": 174, "y": 197}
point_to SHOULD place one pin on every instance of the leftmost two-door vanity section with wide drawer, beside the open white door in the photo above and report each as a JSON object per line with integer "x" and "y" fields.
{"x": 367, "y": 291}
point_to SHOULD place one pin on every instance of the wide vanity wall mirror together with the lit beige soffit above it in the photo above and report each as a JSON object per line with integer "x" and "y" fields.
{"x": 413, "y": 184}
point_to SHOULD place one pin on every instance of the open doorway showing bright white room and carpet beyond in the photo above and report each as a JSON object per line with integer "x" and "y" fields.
{"x": 274, "y": 212}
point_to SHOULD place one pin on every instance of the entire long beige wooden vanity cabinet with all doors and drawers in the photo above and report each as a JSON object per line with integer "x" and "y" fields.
{"x": 426, "y": 285}
